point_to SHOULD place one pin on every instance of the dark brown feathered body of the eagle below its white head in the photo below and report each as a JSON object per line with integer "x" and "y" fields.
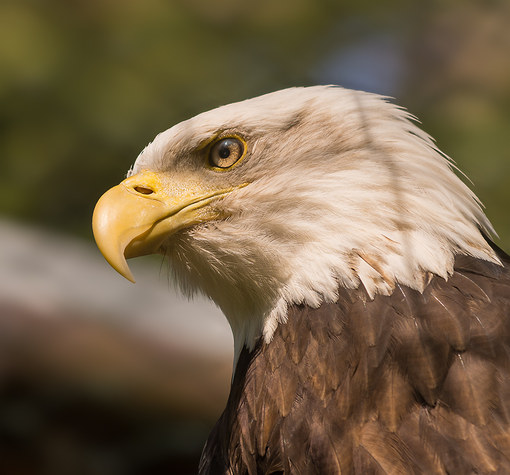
{"x": 408, "y": 383}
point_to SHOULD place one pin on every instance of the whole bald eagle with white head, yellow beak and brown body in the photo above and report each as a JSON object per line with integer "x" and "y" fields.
{"x": 370, "y": 309}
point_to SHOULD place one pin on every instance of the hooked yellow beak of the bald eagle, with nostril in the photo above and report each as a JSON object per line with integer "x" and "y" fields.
{"x": 135, "y": 217}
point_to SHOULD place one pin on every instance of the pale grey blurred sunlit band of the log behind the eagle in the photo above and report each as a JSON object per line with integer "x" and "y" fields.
{"x": 48, "y": 273}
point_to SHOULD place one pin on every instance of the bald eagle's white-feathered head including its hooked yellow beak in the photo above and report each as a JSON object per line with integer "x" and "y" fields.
{"x": 284, "y": 198}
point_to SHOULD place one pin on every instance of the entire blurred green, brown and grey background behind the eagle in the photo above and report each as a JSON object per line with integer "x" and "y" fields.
{"x": 98, "y": 376}
